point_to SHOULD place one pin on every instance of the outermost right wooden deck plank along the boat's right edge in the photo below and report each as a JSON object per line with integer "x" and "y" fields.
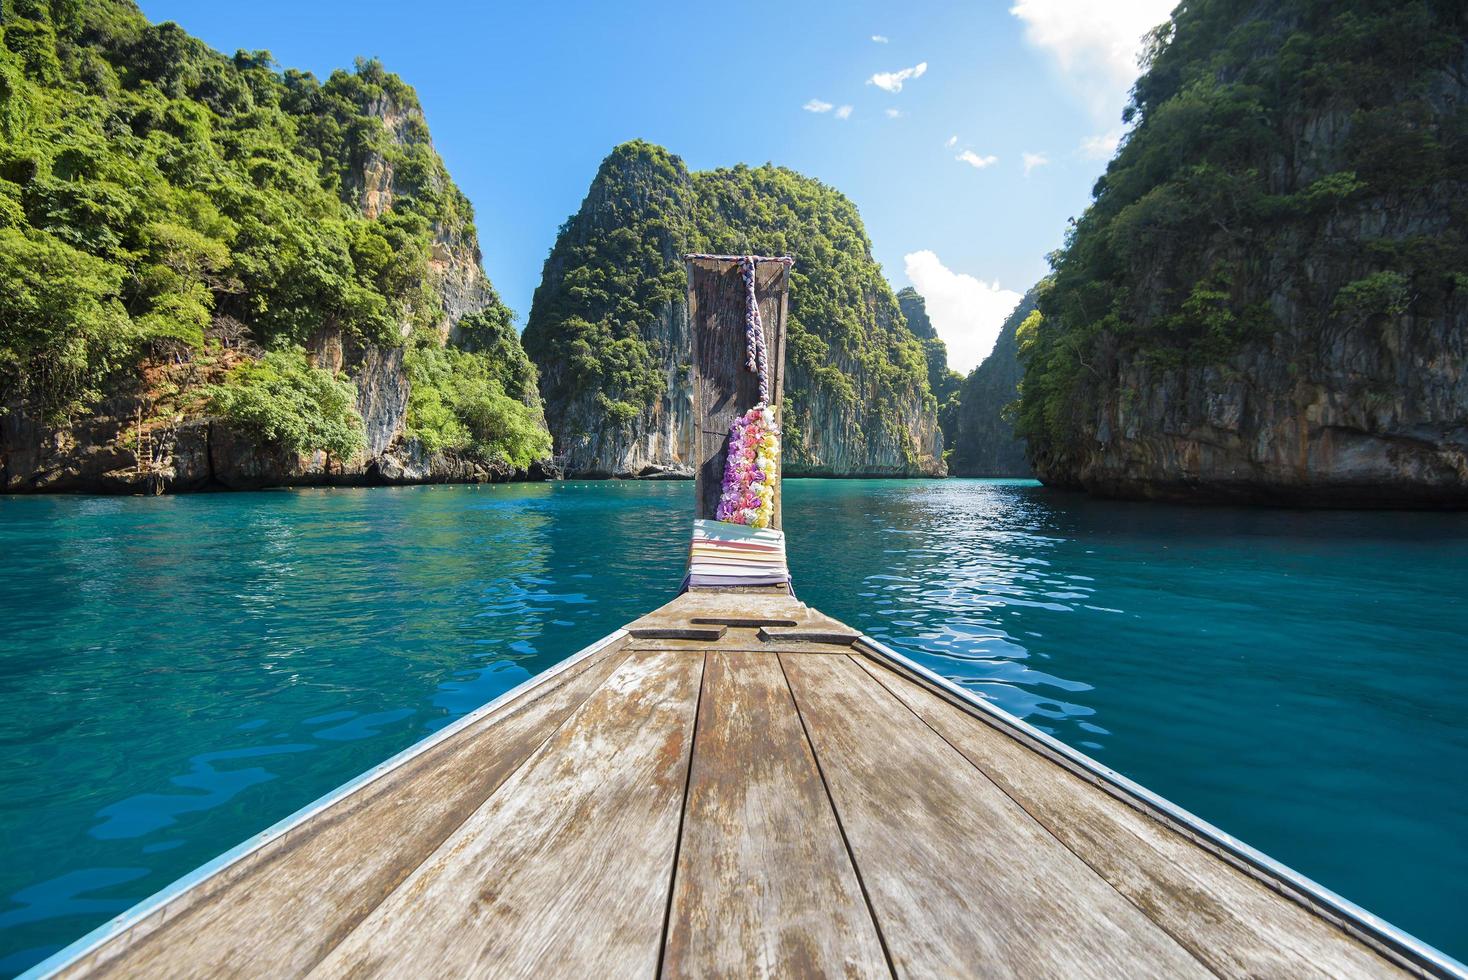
{"x": 1229, "y": 921}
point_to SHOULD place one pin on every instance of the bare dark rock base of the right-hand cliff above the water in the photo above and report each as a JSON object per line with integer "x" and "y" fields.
{"x": 1342, "y": 417}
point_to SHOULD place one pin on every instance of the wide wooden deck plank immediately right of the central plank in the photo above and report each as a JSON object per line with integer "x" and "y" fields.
{"x": 961, "y": 878}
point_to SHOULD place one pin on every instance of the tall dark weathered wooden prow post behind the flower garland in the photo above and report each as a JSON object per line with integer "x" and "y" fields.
{"x": 723, "y": 388}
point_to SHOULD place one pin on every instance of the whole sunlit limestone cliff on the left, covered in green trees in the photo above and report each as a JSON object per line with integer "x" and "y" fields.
{"x": 335, "y": 233}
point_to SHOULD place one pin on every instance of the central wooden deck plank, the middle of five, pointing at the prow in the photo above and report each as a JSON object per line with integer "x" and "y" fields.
{"x": 764, "y": 884}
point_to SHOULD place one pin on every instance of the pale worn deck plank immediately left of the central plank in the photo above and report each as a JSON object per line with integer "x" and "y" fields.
{"x": 566, "y": 871}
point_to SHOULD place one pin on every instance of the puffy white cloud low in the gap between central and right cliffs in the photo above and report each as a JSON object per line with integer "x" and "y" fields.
{"x": 968, "y": 313}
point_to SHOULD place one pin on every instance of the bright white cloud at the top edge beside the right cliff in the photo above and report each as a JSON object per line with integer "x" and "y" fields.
{"x": 1096, "y": 45}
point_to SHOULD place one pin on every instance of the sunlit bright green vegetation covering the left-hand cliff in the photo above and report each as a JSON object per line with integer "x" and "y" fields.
{"x": 161, "y": 203}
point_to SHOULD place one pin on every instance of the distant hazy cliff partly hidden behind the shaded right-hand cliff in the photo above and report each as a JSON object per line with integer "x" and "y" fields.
{"x": 986, "y": 444}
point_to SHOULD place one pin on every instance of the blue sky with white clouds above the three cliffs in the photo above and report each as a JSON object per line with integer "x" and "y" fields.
{"x": 965, "y": 171}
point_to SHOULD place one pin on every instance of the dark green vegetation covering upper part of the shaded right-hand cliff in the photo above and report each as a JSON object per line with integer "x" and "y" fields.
{"x": 1298, "y": 167}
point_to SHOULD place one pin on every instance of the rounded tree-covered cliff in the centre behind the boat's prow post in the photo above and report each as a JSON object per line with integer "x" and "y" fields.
{"x": 610, "y": 329}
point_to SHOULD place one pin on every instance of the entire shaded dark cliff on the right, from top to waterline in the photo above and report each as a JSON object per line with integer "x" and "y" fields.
{"x": 1269, "y": 299}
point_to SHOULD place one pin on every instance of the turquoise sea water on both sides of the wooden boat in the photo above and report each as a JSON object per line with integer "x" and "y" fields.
{"x": 180, "y": 673}
